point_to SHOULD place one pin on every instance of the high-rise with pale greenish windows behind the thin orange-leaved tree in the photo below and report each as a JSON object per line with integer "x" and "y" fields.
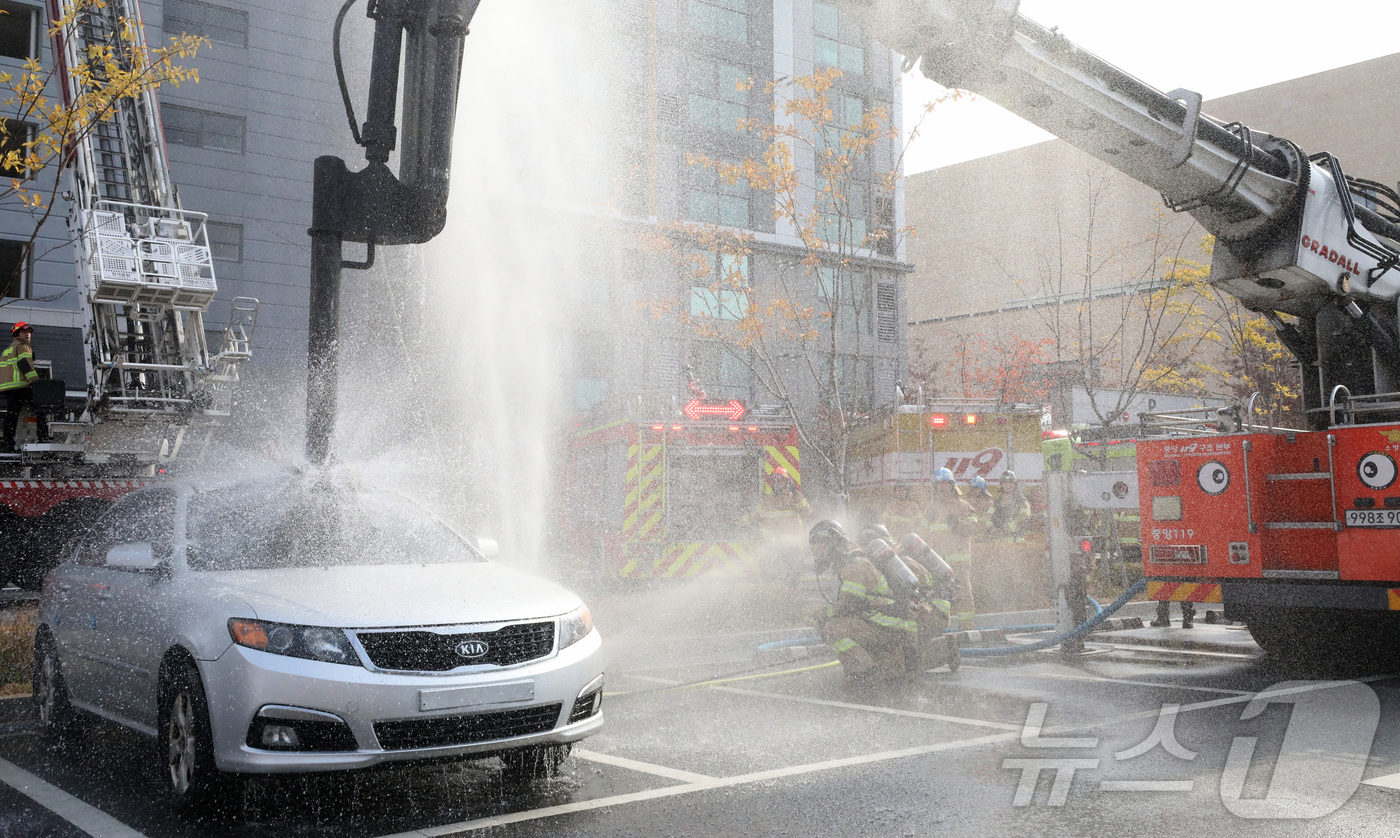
{"x": 681, "y": 89}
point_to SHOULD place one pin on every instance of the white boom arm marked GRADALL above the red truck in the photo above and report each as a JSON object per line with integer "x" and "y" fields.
{"x": 1294, "y": 234}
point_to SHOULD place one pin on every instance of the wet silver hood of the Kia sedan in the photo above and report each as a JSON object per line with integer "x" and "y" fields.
{"x": 373, "y": 597}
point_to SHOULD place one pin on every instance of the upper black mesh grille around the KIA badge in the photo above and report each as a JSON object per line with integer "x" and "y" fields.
{"x": 428, "y": 651}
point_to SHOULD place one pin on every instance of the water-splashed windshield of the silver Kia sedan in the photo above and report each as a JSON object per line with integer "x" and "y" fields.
{"x": 314, "y": 524}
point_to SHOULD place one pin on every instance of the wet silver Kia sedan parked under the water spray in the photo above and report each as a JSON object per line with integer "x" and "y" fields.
{"x": 297, "y": 625}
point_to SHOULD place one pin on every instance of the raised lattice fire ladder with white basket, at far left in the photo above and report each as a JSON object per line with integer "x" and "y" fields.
{"x": 148, "y": 272}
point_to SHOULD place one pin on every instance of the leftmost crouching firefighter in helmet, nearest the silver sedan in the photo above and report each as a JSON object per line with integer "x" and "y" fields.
{"x": 871, "y": 643}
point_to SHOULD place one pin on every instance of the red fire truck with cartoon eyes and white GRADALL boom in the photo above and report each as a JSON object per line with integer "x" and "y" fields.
{"x": 1296, "y": 532}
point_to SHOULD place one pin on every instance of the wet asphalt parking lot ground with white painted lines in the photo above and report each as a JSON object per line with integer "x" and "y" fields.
{"x": 797, "y": 755}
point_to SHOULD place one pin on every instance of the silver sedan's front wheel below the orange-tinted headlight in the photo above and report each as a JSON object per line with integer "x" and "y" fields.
{"x": 185, "y": 746}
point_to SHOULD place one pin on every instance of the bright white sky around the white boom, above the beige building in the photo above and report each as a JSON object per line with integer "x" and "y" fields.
{"x": 1213, "y": 47}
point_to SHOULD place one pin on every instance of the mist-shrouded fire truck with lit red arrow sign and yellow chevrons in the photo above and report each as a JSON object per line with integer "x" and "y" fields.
{"x": 674, "y": 497}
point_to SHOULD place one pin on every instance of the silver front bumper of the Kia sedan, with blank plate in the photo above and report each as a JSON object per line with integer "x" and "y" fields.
{"x": 244, "y": 681}
